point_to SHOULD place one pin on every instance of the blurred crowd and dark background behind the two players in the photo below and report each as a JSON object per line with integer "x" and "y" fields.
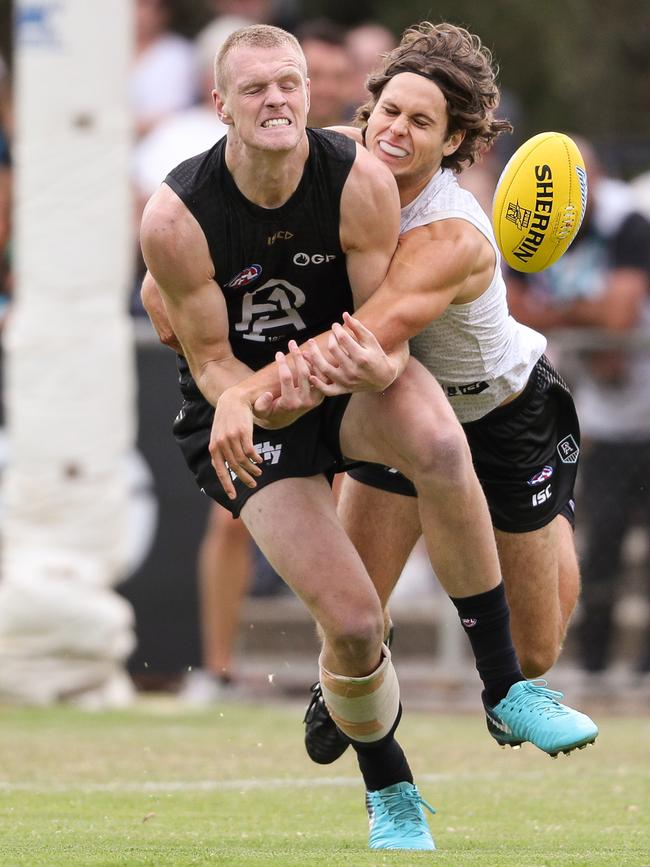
{"x": 580, "y": 67}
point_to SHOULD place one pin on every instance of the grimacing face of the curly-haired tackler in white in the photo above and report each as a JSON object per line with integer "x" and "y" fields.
{"x": 407, "y": 129}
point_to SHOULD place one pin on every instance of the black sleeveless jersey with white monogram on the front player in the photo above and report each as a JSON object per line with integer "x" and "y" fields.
{"x": 282, "y": 270}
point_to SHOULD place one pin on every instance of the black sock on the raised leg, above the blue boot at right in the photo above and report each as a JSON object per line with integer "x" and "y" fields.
{"x": 486, "y": 620}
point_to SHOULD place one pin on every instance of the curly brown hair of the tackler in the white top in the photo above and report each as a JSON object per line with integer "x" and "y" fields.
{"x": 462, "y": 67}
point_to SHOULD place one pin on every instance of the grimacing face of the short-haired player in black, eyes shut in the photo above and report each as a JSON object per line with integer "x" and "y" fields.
{"x": 267, "y": 97}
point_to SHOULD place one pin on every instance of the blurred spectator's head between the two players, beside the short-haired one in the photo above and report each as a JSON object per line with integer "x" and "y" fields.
{"x": 330, "y": 70}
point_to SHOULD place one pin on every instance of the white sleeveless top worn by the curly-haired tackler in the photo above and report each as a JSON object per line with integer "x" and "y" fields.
{"x": 478, "y": 353}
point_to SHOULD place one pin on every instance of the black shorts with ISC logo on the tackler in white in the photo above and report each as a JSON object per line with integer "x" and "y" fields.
{"x": 525, "y": 455}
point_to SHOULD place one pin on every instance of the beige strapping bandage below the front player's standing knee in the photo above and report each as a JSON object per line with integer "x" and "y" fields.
{"x": 364, "y": 708}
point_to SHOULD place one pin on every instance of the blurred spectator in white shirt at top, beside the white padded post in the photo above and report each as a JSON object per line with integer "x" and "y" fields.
{"x": 164, "y": 78}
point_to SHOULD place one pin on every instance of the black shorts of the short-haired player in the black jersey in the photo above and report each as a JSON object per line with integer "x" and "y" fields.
{"x": 306, "y": 448}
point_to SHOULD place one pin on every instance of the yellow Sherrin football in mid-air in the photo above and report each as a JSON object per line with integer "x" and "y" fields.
{"x": 539, "y": 201}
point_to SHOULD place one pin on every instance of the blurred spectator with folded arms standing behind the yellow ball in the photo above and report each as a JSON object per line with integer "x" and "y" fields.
{"x": 603, "y": 282}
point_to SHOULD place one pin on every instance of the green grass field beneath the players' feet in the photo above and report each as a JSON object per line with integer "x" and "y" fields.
{"x": 157, "y": 785}
